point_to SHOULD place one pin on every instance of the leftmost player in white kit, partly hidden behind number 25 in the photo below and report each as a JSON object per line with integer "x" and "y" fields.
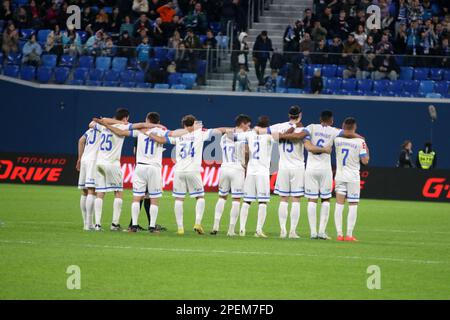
{"x": 87, "y": 156}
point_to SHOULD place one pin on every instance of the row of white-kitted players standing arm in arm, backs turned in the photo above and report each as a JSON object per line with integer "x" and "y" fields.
{"x": 244, "y": 172}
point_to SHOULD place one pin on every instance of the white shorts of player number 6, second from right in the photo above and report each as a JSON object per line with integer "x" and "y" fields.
{"x": 318, "y": 183}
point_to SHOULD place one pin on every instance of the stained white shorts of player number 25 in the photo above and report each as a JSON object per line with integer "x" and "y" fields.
{"x": 108, "y": 178}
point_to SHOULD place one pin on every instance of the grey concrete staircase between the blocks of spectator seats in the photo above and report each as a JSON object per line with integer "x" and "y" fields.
{"x": 276, "y": 17}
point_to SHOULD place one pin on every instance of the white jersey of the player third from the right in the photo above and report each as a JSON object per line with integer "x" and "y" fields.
{"x": 291, "y": 152}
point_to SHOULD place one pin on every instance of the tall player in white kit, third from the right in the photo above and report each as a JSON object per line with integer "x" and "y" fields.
{"x": 291, "y": 171}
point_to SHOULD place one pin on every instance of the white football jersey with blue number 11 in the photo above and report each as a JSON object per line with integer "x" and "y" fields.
{"x": 148, "y": 151}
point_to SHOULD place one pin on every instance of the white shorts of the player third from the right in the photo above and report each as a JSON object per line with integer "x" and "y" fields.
{"x": 290, "y": 182}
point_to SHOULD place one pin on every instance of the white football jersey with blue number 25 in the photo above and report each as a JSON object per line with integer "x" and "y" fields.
{"x": 110, "y": 148}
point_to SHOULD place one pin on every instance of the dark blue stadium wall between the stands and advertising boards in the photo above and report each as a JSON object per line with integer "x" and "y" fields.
{"x": 49, "y": 119}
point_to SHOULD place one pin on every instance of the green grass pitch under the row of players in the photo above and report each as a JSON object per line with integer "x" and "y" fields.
{"x": 41, "y": 235}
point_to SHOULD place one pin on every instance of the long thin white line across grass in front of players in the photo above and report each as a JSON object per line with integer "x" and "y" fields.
{"x": 261, "y": 253}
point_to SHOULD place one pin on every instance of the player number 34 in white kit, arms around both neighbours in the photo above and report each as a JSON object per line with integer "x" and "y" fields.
{"x": 187, "y": 178}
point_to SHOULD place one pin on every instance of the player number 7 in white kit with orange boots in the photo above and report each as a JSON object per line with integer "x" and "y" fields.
{"x": 349, "y": 154}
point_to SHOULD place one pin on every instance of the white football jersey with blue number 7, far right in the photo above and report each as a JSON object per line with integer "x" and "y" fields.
{"x": 348, "y": 154}
